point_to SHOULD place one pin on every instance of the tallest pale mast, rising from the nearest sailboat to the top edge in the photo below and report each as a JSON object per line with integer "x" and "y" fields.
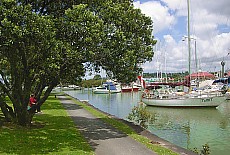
{"x": 189, "y": 40}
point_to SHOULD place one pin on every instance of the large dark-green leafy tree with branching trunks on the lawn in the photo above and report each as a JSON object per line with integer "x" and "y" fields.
{"x": 44, "y": 43}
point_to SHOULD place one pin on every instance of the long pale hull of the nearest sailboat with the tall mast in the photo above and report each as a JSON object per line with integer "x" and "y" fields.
{"x": 185, "y": 102}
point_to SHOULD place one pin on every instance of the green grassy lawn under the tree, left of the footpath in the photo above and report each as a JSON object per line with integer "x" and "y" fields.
{"x": 52, "y": 133}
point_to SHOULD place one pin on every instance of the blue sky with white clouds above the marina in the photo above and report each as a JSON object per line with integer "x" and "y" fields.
{"x": 209, "y": 30}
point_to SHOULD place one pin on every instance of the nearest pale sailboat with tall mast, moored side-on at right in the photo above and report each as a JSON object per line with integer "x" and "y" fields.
{"x": 165, "y": 97}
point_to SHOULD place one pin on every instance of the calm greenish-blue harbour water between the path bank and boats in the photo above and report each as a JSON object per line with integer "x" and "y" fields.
{"x": 186, "y": 127}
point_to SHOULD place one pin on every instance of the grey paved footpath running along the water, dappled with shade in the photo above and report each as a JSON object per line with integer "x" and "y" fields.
{"x": 102, "y": 137}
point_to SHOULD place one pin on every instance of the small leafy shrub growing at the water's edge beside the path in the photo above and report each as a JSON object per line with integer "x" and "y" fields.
{"x": 141, "y": 116}
